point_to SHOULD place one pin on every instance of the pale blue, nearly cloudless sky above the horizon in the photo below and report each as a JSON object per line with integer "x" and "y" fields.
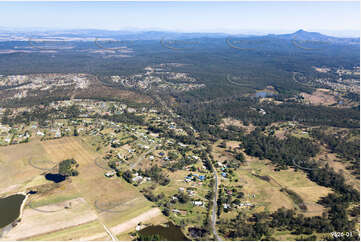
{"x": 228, "y": 17}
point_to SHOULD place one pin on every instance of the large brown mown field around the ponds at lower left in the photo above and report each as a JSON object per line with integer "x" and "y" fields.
{"x": 84, "y": 219}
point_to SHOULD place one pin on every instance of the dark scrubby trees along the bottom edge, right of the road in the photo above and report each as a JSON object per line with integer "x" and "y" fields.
{"x": 261, "y": 226}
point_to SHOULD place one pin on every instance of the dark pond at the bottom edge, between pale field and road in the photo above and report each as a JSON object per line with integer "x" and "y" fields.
{"x": 167, "y": 232}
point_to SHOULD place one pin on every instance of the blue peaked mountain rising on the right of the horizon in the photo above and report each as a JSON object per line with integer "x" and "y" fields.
{"x": 302, "y": 35}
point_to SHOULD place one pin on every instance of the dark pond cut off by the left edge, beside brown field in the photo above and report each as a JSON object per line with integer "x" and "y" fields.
{"x": 10, "y": 209}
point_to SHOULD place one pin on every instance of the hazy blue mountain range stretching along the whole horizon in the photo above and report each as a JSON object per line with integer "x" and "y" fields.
{"x": 91, "y": 34}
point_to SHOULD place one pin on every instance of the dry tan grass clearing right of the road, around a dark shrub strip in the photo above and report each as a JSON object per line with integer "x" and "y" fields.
{"x": 269, "y": 191}
